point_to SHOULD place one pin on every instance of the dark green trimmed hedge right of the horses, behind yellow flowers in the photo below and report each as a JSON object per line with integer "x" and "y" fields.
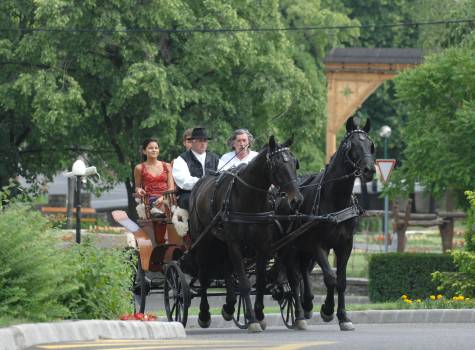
{"x": 392, "y": 275}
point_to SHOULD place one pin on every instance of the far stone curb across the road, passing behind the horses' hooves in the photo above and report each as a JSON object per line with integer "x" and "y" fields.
{"x": 361, "y": 317}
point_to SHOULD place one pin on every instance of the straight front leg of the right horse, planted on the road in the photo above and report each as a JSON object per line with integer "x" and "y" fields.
{"x": 342, "y": 256}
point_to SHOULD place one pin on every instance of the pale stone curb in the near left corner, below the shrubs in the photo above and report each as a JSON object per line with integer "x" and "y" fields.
{"x": 25, "y": 335}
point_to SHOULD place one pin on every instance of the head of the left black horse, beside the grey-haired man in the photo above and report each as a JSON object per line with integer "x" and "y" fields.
{"x": 282, "y": 167}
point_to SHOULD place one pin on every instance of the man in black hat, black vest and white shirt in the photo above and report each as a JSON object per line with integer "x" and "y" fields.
{"x": 191, "y": 165}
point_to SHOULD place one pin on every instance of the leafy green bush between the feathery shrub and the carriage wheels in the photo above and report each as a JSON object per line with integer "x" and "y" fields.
{"x": 104, "y": 278}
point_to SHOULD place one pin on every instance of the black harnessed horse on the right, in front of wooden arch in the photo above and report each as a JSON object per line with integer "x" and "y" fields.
{"x": 329, "y": 191}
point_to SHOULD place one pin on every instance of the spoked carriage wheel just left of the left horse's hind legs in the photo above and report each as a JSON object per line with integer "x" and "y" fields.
{"x": 176, "y": 294}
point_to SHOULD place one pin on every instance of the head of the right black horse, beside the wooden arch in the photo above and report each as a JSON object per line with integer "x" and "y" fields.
{"x": 358, "y": 150}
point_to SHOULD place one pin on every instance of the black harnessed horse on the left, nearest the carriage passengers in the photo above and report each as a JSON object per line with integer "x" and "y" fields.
{"x": 233, "y": 206}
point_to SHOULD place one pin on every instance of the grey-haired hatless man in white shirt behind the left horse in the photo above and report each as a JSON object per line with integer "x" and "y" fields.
{"x": 240, "y": 142}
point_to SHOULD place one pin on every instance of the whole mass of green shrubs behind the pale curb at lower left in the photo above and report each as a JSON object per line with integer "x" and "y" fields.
{"x": 39, "y": 280}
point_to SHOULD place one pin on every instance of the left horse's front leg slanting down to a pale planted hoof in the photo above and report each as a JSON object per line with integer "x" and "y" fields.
{"x": 244, "y": 284}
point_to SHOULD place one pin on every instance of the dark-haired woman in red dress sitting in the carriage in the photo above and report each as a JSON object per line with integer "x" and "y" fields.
{"x": 153, "y": 177}
